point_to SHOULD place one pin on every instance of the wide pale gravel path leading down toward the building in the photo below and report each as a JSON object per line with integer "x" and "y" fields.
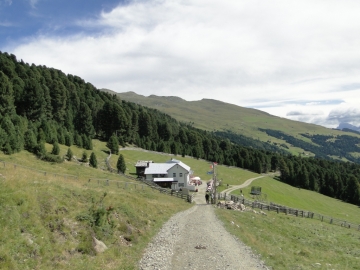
{"x": 196, "y": 239}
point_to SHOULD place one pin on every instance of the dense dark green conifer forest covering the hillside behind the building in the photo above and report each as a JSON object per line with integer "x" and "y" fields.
{"x": 40, "y": 104}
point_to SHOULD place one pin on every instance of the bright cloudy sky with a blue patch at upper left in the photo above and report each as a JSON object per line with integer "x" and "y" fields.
{"x": 294, "y": 59}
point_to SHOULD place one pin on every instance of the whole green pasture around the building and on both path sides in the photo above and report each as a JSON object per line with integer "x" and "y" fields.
{"x": 32, "y": 207}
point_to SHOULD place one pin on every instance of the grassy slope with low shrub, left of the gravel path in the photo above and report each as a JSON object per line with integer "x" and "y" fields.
{"x": 38, "y": 216}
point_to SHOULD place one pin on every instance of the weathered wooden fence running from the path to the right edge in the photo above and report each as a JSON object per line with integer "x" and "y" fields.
{"x": 288, "y": 210}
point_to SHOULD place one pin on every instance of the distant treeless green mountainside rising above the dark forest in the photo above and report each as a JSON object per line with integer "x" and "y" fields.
{"x": 216, "y": 115}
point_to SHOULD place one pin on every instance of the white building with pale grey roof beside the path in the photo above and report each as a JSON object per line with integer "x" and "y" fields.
{"x": 172, "y": 174}
